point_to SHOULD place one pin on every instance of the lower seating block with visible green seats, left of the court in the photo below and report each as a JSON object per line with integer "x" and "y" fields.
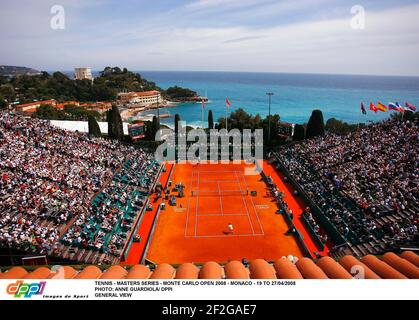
{"x": 113, "y": 212}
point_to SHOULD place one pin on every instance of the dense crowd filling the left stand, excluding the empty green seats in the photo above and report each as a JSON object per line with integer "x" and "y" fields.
{"x": 49, "y": 177}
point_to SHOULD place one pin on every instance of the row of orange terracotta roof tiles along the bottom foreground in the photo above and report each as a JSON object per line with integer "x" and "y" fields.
{"x": 390, "y": 266}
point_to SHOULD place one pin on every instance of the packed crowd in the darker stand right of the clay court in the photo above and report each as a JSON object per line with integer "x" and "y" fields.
{"x": 359, "y": 178}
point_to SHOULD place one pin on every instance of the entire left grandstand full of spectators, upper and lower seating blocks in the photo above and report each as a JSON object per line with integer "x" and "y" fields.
{"x": 67, "y": 195}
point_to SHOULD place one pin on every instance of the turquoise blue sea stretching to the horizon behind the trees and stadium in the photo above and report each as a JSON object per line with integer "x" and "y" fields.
{"x": 296, "y": 95}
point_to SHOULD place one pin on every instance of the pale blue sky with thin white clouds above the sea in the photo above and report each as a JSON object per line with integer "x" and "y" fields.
{"x": 298, "y": 36}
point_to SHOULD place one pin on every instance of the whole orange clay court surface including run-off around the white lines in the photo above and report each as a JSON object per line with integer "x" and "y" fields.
{"x": 216, "y": 195}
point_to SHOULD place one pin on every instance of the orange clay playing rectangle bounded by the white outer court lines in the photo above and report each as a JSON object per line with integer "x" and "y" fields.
{"x": 217, "y": 199}
